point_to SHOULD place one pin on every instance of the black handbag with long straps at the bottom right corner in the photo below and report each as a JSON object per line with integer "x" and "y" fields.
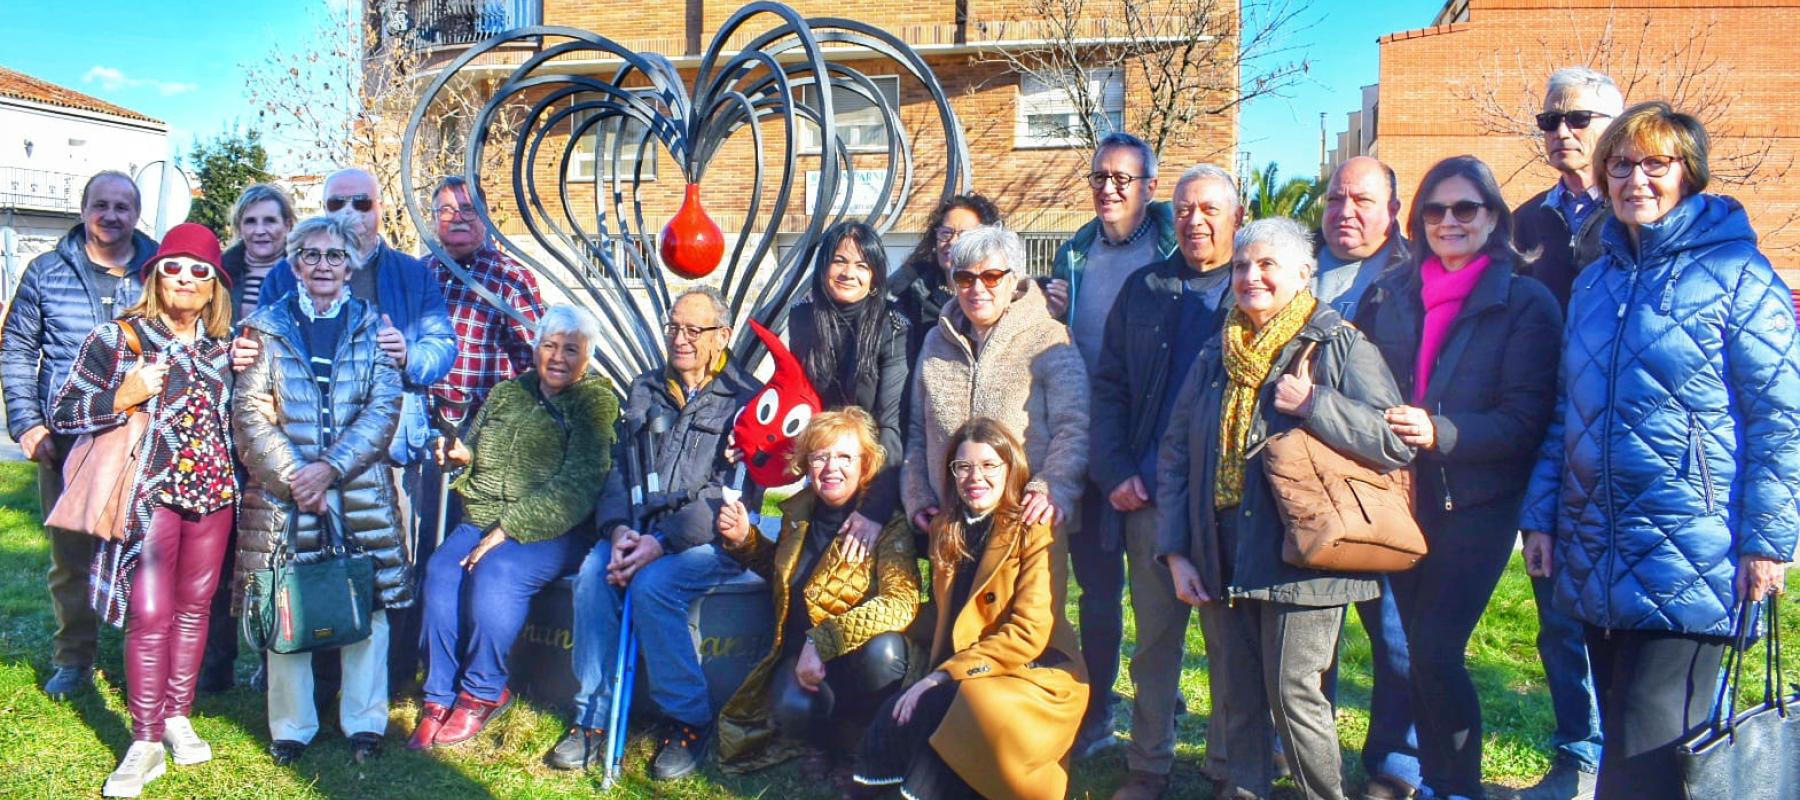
{"x": 1756, "y": 754}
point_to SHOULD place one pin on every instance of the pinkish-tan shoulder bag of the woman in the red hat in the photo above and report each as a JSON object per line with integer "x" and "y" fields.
{"x": 100, "y": 471}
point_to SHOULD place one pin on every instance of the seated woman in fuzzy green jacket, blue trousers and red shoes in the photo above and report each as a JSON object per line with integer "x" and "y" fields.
{"x": 535, "y": 455}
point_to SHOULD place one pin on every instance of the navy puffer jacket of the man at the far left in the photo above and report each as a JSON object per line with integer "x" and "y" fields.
{"x": 53, "y": 313}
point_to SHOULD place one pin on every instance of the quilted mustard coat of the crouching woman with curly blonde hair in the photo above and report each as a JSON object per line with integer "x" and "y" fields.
{"x": 849, "y": 605}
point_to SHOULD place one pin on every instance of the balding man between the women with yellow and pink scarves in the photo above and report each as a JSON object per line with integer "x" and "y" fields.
{"x": 1362, "y": 239}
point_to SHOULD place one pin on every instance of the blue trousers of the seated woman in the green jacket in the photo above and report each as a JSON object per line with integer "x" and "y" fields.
{"x": 472, "y": 617}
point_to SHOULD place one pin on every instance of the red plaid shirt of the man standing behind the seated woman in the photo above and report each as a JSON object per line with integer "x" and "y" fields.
{"x": 492, "y": 347}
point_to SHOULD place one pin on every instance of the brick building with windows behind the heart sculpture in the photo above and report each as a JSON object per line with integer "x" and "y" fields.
{"x": 1038, "y": 179}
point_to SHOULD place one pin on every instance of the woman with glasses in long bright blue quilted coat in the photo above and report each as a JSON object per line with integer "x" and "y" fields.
{"x": 1664, "y": 495}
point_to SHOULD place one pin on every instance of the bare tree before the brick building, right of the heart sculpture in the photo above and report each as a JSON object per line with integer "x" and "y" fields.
{"x": 1182, "y": 60}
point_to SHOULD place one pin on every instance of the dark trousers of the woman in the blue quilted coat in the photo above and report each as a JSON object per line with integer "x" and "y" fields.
{"x": 1655, "y": 691}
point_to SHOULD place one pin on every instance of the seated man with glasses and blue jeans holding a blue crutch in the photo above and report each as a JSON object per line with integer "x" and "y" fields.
{"x": 676, "y": 419}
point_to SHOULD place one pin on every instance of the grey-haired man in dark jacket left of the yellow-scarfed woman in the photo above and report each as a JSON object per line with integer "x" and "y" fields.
{"x": 1155, "y": 332}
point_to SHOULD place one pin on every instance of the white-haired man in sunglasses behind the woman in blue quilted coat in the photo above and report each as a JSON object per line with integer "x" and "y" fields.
{"x": 1563, "y": 224}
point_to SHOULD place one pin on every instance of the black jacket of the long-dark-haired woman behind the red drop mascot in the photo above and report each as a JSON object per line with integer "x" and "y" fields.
{"x": 881, "y": 394}
